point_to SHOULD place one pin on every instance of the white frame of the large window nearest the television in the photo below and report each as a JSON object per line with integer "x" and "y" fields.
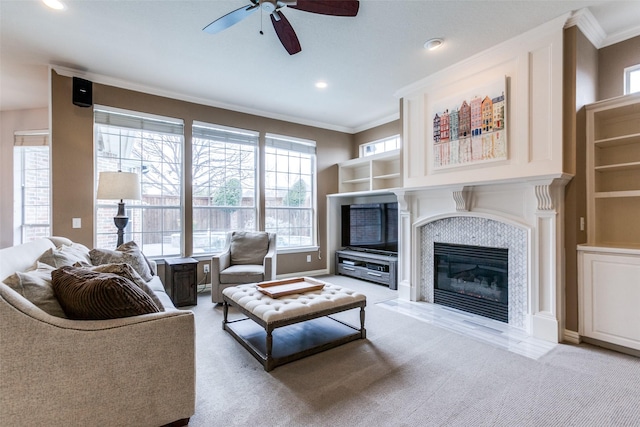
{"x": 303, "y": 146}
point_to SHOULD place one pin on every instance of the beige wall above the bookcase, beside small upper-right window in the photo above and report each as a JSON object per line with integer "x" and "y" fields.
{"x": 612, "y": 60}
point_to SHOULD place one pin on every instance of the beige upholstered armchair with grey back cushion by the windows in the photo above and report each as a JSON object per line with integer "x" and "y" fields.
{"x": 248, "y": 257}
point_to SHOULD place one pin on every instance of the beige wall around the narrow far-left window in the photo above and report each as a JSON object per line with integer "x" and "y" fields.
{"x": 11, "y": 122}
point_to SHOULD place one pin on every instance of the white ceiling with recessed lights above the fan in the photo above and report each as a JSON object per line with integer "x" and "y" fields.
{"x": 159, "y": 47}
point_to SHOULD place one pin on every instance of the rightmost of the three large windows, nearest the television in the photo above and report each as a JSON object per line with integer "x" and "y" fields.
{"x": 290, "y": 190}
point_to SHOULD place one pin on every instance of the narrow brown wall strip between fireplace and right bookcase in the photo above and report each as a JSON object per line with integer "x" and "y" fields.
{"x": 581, "y": 67}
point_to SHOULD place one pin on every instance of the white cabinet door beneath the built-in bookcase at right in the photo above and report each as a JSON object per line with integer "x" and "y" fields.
{"x": 610, "y": 298}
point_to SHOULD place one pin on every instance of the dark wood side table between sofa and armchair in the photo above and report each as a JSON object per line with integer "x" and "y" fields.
{"x": 180, "y": 275}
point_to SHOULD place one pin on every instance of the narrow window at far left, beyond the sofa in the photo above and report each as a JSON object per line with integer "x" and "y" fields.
{"x": 31, "y": 180}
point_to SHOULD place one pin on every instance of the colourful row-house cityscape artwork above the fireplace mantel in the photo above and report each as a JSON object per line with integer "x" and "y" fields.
{"x": 471, "y": 129}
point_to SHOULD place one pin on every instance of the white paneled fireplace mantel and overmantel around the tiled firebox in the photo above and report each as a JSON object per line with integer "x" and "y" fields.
{"x": 524, "y": 191}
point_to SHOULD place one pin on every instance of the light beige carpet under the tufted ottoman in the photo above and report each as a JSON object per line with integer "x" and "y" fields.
{"x": 409, "y": 373}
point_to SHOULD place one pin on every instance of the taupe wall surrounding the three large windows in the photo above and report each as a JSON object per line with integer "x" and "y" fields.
{"x": 73, "y": 162}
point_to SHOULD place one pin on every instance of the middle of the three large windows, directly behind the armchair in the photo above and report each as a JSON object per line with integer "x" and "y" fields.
{"x": 224, "y": 184}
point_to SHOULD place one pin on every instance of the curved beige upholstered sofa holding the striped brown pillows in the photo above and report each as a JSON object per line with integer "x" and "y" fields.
{"x": 132, "y": 371}
